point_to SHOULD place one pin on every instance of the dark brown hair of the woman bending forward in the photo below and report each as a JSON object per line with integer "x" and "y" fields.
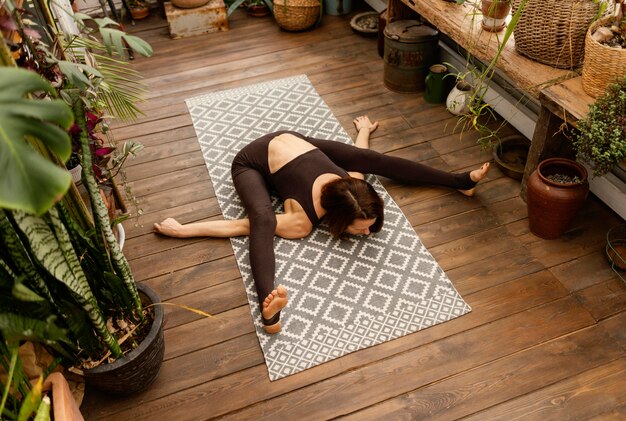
{"x": 347, "y": 199}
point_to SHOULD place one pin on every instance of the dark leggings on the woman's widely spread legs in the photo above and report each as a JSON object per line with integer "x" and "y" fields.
{"x": 250, "y": 172}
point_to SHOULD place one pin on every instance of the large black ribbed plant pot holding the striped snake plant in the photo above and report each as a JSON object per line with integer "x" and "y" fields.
{"x": 136, "y": 370}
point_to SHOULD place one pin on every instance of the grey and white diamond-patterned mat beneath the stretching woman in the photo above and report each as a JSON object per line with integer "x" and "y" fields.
{"x": 344, "y": 295}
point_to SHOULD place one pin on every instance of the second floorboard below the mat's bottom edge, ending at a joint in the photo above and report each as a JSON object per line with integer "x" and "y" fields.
{"x": 404, "y": 372}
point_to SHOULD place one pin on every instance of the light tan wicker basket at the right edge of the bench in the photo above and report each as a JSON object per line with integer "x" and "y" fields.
{"x": 603, "y": 64}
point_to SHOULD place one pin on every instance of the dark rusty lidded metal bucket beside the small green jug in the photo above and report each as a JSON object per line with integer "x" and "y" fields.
{"x": 410, "y": 49}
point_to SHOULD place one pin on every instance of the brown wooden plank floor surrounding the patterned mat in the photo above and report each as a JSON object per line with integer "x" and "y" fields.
{"x": 547, "y": 335}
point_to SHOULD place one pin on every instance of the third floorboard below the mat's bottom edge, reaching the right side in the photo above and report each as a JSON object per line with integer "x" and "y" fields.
{"x": 501, "y": 380}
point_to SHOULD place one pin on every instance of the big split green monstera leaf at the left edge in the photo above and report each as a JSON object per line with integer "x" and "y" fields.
{"x": 28, "y": 181}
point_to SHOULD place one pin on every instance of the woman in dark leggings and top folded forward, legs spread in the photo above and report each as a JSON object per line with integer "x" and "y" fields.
{"x": 315, "y": 178}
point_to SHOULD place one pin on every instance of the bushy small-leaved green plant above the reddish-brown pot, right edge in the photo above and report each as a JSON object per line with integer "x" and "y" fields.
{"x": 601, "y": 136}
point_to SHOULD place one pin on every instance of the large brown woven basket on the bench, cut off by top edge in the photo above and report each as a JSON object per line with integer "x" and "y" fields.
{"x": 553, "y": 32}
